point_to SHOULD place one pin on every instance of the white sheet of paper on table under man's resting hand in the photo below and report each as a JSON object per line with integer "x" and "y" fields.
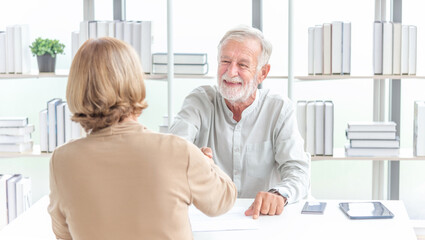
{"x": 235, "y": 219}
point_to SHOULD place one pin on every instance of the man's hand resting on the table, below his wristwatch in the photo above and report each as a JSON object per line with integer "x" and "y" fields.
{"x": 266, "y": 203}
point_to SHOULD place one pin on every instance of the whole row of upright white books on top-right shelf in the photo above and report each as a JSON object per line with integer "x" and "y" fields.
{"x": 394, "y": 48}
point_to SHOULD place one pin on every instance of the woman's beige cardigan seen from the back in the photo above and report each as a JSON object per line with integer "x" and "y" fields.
{"x": 126, "y": 182}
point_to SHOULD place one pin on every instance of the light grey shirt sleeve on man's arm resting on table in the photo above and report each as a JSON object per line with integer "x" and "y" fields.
{"x": 293, "y": 161}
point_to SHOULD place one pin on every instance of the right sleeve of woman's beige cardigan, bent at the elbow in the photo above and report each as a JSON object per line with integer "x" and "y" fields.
{"x": 212, "y": 191}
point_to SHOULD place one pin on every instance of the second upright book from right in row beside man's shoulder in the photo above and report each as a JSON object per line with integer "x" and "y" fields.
{"x": 319, "y": 128}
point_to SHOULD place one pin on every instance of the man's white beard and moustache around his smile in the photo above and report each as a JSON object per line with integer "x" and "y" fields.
{"x": 237, "y": 93}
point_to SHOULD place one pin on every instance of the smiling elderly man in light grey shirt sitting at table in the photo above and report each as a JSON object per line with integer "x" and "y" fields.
{"x": 253, "y": 135}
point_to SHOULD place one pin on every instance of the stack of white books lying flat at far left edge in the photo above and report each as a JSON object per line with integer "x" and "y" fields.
{"x": 15, "y": 134}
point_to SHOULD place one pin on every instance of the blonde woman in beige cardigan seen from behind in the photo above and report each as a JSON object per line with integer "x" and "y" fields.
{"x": 123, "y": 181}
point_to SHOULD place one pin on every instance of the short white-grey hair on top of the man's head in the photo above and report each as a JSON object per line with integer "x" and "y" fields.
{"x": 244, "y": 32}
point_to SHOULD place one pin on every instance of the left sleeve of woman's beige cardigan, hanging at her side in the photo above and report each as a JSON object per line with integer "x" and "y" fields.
{"x": 59, "y": 225}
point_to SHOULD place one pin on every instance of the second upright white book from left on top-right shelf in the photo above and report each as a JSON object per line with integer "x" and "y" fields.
{"x": 387, "y": 48}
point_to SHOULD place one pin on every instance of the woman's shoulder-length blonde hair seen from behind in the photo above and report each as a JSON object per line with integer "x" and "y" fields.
{"x": 105, "y": 84}
